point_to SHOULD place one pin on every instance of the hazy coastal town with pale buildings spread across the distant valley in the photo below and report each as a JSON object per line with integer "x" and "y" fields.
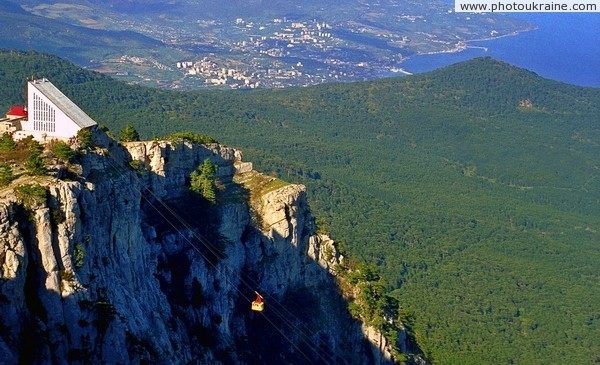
{"x": 274, "y": 50}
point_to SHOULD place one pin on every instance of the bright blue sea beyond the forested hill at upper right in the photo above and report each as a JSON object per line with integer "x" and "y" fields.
{"x": 563, "y": 47}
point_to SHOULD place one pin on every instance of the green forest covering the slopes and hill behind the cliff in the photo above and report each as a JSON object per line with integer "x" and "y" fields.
{"x": 474, "y": 189}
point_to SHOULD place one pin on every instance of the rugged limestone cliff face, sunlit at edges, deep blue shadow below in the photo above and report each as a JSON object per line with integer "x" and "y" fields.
{"x": 122, "y": 266}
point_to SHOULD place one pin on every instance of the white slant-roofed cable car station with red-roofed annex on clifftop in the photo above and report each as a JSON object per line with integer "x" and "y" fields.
{"x": 49, "y": 115}
